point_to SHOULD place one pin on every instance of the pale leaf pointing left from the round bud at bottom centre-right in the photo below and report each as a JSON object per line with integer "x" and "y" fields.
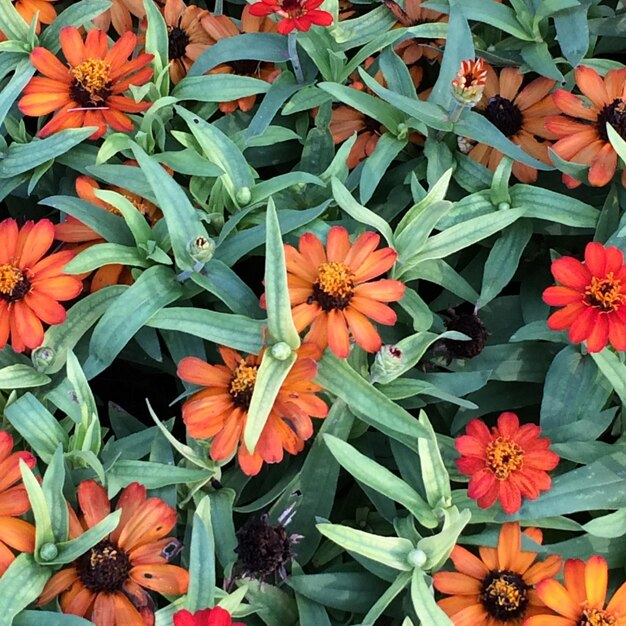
{"x": 390, "y": 551}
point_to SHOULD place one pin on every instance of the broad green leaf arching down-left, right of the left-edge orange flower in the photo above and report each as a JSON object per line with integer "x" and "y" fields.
{"x": 153, "y": 290}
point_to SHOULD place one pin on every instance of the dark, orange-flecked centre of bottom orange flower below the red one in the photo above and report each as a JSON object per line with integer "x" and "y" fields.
{"x": 504, "y": 595}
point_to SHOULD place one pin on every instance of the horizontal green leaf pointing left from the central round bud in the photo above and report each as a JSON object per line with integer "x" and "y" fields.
{"x": 234, "y": 331}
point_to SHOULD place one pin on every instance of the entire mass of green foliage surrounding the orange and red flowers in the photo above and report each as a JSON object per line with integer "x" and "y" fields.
{"x": 376, "y": 496}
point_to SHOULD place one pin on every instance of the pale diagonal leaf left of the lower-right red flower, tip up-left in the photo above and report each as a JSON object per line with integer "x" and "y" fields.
{"x": 380, "y": 479}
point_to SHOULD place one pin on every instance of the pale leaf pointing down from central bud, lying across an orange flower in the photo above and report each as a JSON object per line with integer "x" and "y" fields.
{"x": 270, "y": 376}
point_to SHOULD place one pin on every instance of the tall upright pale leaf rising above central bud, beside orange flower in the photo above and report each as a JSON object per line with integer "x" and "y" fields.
{"x": 279, "y": 319}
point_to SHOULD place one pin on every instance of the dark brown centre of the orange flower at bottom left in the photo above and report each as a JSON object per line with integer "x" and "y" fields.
{"x": 104, "y": 568}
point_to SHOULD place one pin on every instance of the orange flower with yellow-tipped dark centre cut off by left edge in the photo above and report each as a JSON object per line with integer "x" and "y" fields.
{"x": 31, "y": 284}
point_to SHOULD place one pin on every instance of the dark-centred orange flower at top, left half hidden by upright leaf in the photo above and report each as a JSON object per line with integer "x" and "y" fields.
{"x": 187, "y": 38}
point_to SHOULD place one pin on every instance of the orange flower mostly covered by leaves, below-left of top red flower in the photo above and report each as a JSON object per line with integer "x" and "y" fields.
{"x": 221, "y": 27}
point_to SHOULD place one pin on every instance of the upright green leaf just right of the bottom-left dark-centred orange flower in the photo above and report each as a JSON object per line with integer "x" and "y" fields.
{"x": 202, "y": 559}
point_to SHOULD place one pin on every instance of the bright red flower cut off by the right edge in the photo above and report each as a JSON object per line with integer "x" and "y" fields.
{"x": 593, "y": 295}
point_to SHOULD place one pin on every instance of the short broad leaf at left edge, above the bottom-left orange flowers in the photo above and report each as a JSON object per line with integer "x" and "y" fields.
{"x": 37, "y": 425}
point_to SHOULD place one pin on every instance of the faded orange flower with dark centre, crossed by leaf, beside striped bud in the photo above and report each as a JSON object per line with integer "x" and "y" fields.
{"x": 520, "y": 115}
